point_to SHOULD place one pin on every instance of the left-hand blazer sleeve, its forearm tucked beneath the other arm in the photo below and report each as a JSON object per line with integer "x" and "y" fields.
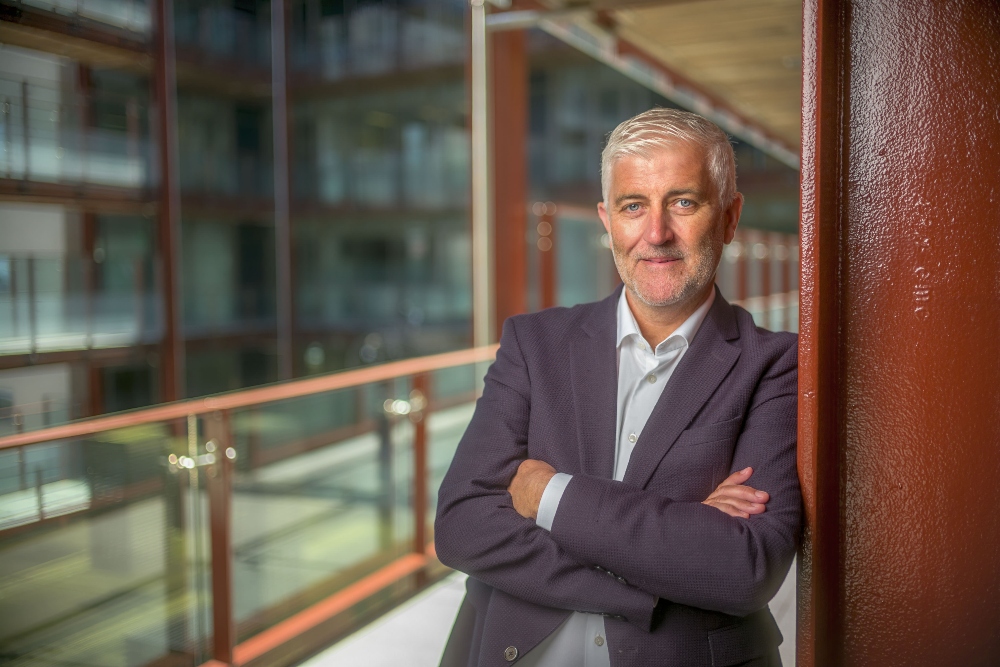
{"x": 477, "y": 529}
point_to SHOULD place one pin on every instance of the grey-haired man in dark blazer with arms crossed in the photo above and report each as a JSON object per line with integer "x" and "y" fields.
{"x": 598, "y": 499}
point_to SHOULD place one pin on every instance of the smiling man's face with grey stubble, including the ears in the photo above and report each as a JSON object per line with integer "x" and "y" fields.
{"x": 666, "y": 224}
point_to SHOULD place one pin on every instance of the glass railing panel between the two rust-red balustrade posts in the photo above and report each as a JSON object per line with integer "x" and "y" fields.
{"x": 321, "y": 498}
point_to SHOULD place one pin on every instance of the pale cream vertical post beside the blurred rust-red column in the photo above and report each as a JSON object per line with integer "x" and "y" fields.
{"x": 482, "y": 225}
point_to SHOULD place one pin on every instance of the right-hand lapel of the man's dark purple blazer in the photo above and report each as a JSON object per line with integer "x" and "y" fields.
{"x": 703, "y": 368}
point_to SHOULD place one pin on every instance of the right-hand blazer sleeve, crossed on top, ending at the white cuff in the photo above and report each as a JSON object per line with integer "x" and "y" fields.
{"x": 688, "y": 552}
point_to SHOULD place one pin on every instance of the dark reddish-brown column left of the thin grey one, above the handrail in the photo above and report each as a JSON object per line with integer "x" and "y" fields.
{"x": 165, "y": 93}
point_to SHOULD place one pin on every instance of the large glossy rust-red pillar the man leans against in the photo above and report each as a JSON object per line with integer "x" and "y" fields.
{"x": 899, "y": 429}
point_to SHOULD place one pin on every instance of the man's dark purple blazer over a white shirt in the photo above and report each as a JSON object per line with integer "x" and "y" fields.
{"x": 679, "y": 582}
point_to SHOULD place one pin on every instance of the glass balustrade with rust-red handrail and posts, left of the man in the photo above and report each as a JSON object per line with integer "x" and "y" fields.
{"x": 122, "y": 546}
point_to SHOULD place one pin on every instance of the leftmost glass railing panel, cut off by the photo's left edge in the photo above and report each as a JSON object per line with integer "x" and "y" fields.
{"x": 104, "y": 551}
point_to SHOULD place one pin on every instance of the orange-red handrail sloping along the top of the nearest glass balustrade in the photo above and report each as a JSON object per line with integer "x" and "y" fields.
{"x": 250, "y": 397}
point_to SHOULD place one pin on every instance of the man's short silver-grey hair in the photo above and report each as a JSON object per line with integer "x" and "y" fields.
{"x": 658, "y": 128}
